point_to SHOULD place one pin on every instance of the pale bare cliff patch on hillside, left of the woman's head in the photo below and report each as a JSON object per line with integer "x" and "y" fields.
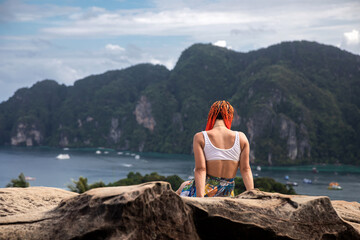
{"x": 143, "y": 114}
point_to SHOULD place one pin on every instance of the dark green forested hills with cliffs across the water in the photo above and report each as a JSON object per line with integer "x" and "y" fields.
{"x": 298, "y": 102}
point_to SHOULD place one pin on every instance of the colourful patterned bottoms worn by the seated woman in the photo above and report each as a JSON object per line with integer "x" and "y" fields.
{"x": 214, "y": 187}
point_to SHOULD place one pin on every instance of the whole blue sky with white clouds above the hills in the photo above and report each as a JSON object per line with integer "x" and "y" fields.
{"x": 66, "y": 40}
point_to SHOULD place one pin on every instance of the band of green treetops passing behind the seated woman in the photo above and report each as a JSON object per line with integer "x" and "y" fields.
{"x": 264, "y": 184}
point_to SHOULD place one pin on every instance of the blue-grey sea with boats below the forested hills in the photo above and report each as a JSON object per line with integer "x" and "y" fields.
{"x": 43, "y": 167}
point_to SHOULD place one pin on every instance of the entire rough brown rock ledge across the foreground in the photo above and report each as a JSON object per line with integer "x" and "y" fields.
{"x": 154, "y": 211}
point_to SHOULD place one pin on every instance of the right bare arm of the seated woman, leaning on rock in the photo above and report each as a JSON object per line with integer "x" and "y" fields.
{"x": 245, "y": 169}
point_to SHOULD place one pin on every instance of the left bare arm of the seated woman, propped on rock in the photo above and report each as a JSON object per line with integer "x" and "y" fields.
{"x": 200, "y": 164}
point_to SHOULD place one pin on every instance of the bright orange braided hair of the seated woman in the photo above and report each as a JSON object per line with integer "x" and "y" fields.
{"x": 220, "y": 107}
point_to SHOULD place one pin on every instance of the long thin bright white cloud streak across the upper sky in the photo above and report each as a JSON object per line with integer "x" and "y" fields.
{"x": 163, "y": 23}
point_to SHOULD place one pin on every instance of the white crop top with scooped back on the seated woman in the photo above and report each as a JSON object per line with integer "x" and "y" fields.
{"x": 214, "y": 153}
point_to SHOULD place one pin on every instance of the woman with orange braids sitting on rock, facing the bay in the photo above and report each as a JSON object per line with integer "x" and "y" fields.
{"x": 218, "y": 152}
